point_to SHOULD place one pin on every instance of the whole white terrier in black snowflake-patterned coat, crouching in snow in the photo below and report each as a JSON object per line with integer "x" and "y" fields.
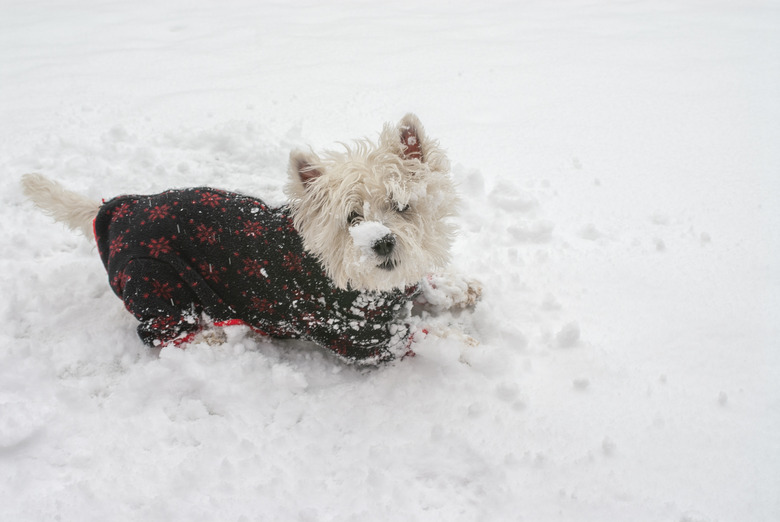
{"x": 341, "y": 264}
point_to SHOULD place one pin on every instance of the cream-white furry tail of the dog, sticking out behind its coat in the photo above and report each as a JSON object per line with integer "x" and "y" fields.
{"x": 75, "y": 210}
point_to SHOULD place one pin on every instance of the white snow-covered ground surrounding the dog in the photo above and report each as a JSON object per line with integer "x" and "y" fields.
{"x": 620, "y": 170}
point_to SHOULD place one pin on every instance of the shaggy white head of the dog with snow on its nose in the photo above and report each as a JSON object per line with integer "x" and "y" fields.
{"x": 376, "y": 215}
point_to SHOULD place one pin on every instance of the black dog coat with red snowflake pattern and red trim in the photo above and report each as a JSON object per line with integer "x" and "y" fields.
{"x": 175, "y": 255}
